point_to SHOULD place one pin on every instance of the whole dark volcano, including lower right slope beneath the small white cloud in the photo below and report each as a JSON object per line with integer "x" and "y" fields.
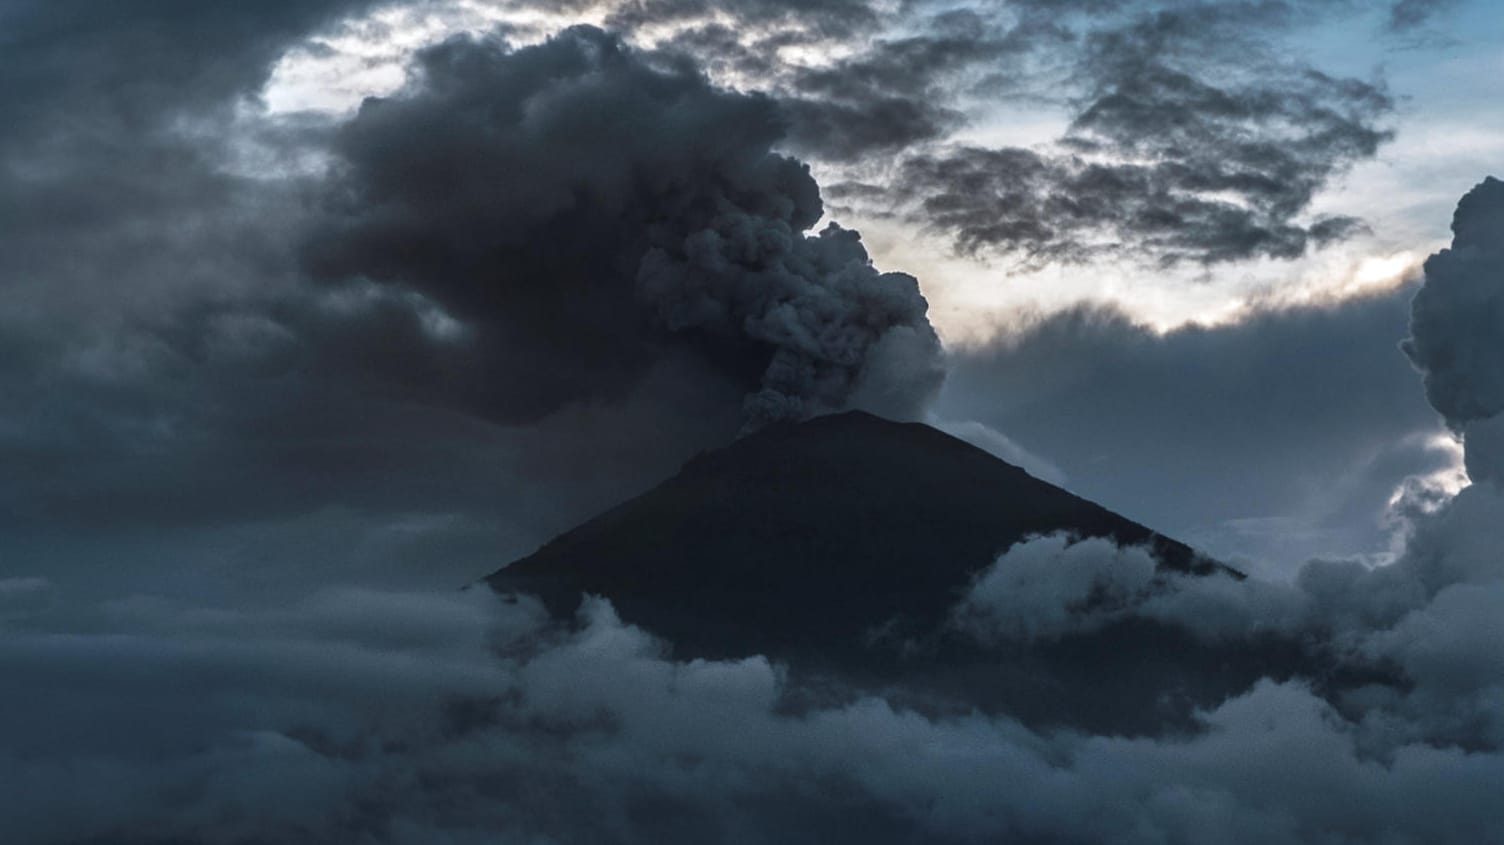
{"x": 841, "y": 547}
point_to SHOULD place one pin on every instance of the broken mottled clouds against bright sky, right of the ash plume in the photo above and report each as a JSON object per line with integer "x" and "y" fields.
{"x": 1192, "y": 136}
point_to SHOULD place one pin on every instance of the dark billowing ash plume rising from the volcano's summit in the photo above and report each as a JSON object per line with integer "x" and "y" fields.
{"x": 583, "y": 211}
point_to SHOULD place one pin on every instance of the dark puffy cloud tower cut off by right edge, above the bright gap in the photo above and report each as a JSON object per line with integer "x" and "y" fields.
{"x": 1458, "y": 329}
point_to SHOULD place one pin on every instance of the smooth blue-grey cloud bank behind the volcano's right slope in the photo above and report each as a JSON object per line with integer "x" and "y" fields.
{"x": 1294, "y": 426}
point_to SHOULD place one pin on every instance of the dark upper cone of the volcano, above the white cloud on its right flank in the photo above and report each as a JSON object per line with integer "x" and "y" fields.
{"x": 813, "y": 533}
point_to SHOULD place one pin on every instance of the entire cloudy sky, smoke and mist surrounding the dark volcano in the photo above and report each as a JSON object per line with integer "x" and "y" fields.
{"x": 320, "y": 310}
